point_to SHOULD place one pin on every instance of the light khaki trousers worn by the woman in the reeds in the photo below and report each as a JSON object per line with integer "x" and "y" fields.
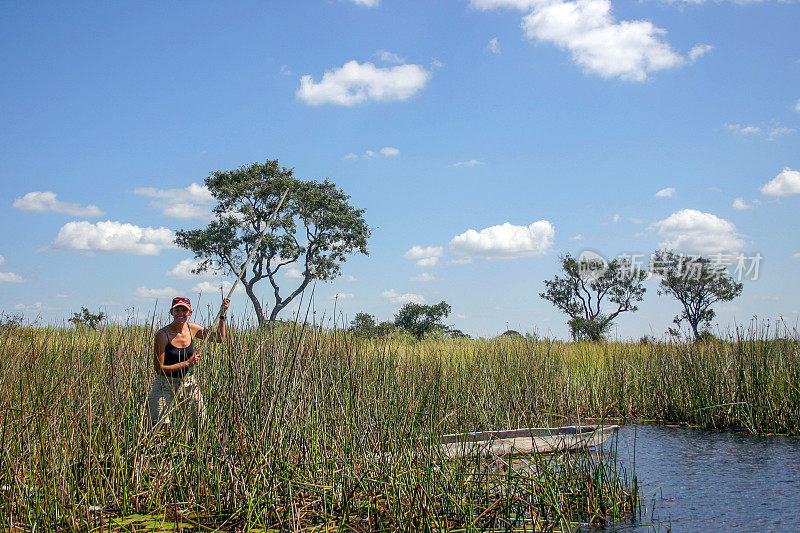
{"x": 170, "y": 393}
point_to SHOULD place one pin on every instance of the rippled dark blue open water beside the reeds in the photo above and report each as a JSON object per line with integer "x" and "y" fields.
{"x": 697, "y": 480}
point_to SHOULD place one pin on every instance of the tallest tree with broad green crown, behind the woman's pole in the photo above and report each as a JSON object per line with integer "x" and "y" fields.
{"x": 315, "y": 229}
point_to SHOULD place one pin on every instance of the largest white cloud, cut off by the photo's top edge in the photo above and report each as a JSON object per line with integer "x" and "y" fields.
{"x": 629, "y": 50}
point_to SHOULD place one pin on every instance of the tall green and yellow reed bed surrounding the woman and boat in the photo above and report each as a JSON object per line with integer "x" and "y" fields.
{"x": 319, "y": 430}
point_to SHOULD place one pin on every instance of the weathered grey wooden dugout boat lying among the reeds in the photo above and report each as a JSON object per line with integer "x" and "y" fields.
{"x": 525, "y": 441}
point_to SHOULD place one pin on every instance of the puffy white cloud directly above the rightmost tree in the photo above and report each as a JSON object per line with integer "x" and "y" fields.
{"x": 696, "y": 232}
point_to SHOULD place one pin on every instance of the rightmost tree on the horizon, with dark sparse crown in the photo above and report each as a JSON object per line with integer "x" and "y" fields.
{"x": 697, "y": 283}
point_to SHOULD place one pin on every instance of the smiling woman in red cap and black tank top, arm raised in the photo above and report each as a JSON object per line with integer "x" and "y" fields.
{"x": 174, "y": 359}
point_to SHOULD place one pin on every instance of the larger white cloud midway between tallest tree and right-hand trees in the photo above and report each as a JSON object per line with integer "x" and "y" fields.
{"x": 505, "y": 241}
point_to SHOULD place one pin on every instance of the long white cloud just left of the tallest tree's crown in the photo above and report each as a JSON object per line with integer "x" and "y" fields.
{"x": 111, "y": 236}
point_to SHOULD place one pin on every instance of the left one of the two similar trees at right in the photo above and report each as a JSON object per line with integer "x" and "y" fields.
{"x": 586, "y": 283}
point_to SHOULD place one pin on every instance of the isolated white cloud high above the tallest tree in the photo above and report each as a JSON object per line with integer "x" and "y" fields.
{"x": 355, "y": 83}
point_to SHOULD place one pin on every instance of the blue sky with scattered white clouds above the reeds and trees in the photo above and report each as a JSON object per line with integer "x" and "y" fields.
{"x": 484, "y": 138}
